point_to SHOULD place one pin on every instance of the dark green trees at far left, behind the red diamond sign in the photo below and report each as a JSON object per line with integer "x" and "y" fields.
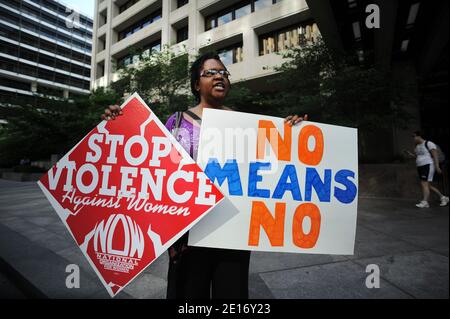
{"x": 38, "y": 127}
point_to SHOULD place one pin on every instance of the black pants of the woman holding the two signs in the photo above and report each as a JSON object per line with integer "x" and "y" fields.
{"x": 204, "y": 273}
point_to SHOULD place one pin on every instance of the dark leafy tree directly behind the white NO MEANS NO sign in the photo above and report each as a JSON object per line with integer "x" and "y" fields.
{"x": 335, "y": 88}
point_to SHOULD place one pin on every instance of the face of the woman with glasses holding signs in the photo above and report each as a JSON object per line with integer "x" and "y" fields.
{"x": 215, "y": 87}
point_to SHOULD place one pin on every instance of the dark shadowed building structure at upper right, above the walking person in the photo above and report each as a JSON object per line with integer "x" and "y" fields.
{"x": 411, "y": 45}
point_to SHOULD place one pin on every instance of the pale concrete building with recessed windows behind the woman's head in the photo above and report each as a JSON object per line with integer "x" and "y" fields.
{"x": 246, "y": 33}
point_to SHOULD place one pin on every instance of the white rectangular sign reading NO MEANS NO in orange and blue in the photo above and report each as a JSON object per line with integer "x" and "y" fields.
{"x": 295, "y": 187}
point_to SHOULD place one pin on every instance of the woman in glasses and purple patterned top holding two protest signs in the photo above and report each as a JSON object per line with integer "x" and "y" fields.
{"x": 197, "y": 272}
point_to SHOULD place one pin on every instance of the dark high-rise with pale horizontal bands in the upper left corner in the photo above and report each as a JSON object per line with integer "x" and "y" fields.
{"x": 45, "y": 49}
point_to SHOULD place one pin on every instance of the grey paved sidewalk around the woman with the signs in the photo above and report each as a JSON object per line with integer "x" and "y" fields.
{"x": 409, "y": 245}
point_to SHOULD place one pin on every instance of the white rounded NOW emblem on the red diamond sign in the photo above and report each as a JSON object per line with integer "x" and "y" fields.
{"x": 107, "y": 233}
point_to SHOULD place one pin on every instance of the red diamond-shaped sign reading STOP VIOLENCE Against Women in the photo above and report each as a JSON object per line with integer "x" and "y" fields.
{"x": 126, "y": 192}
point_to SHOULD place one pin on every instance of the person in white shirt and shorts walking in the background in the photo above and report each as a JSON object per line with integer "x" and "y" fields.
{"x": 427, "y": 162}
